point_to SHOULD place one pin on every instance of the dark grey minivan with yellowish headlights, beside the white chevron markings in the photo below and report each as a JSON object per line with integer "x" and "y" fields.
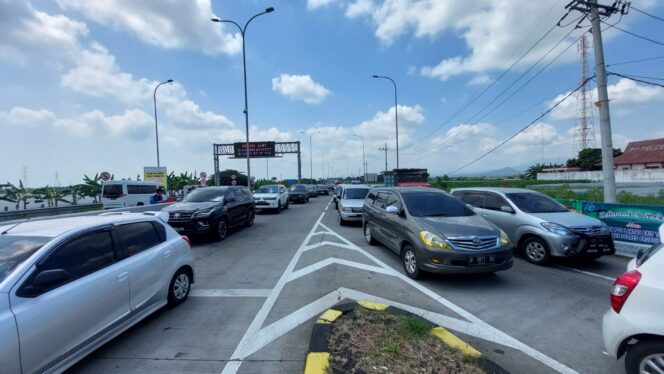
{"x": 434, "y": 231}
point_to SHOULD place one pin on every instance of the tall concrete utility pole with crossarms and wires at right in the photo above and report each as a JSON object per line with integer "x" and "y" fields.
{"x": 594, "y": 10}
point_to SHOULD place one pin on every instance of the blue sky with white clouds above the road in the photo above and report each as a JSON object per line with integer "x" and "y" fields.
{"x": 78, "y": 78}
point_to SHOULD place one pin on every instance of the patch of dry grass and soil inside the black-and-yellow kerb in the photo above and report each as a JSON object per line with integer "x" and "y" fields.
{"x": 367, "y": 341}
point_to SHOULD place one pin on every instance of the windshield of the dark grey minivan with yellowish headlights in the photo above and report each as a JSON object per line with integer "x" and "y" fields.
{"x": 432, "y": 204}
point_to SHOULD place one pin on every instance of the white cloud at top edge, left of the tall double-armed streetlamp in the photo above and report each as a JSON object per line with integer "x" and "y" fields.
{"x": 169, "y": 24}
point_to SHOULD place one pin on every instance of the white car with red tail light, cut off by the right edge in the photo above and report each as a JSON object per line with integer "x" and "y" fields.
{"x": 634, "y": 325}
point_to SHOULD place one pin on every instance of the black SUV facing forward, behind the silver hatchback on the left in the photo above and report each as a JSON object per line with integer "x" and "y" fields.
{"x": 212, "y": 210}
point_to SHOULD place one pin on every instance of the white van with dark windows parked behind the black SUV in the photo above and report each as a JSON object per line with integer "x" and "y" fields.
{"x": 120, "y": 194}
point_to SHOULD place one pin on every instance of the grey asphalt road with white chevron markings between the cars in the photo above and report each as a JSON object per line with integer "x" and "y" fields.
{"x": 258, "y": 293}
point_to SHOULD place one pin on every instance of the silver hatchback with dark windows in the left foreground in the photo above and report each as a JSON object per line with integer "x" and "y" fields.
{"x": 70, "y": 285}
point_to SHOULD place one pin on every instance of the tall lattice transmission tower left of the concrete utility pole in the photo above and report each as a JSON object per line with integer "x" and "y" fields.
{"x": 584, "y": 133}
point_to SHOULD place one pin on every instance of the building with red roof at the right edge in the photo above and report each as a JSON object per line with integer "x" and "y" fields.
{"x": 644, "y": 154}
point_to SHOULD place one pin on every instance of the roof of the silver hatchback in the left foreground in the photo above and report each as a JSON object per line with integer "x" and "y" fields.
{"x": 58, "y": 226}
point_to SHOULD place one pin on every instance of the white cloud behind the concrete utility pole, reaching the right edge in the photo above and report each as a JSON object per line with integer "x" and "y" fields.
{"x": 625, "y": 91}
